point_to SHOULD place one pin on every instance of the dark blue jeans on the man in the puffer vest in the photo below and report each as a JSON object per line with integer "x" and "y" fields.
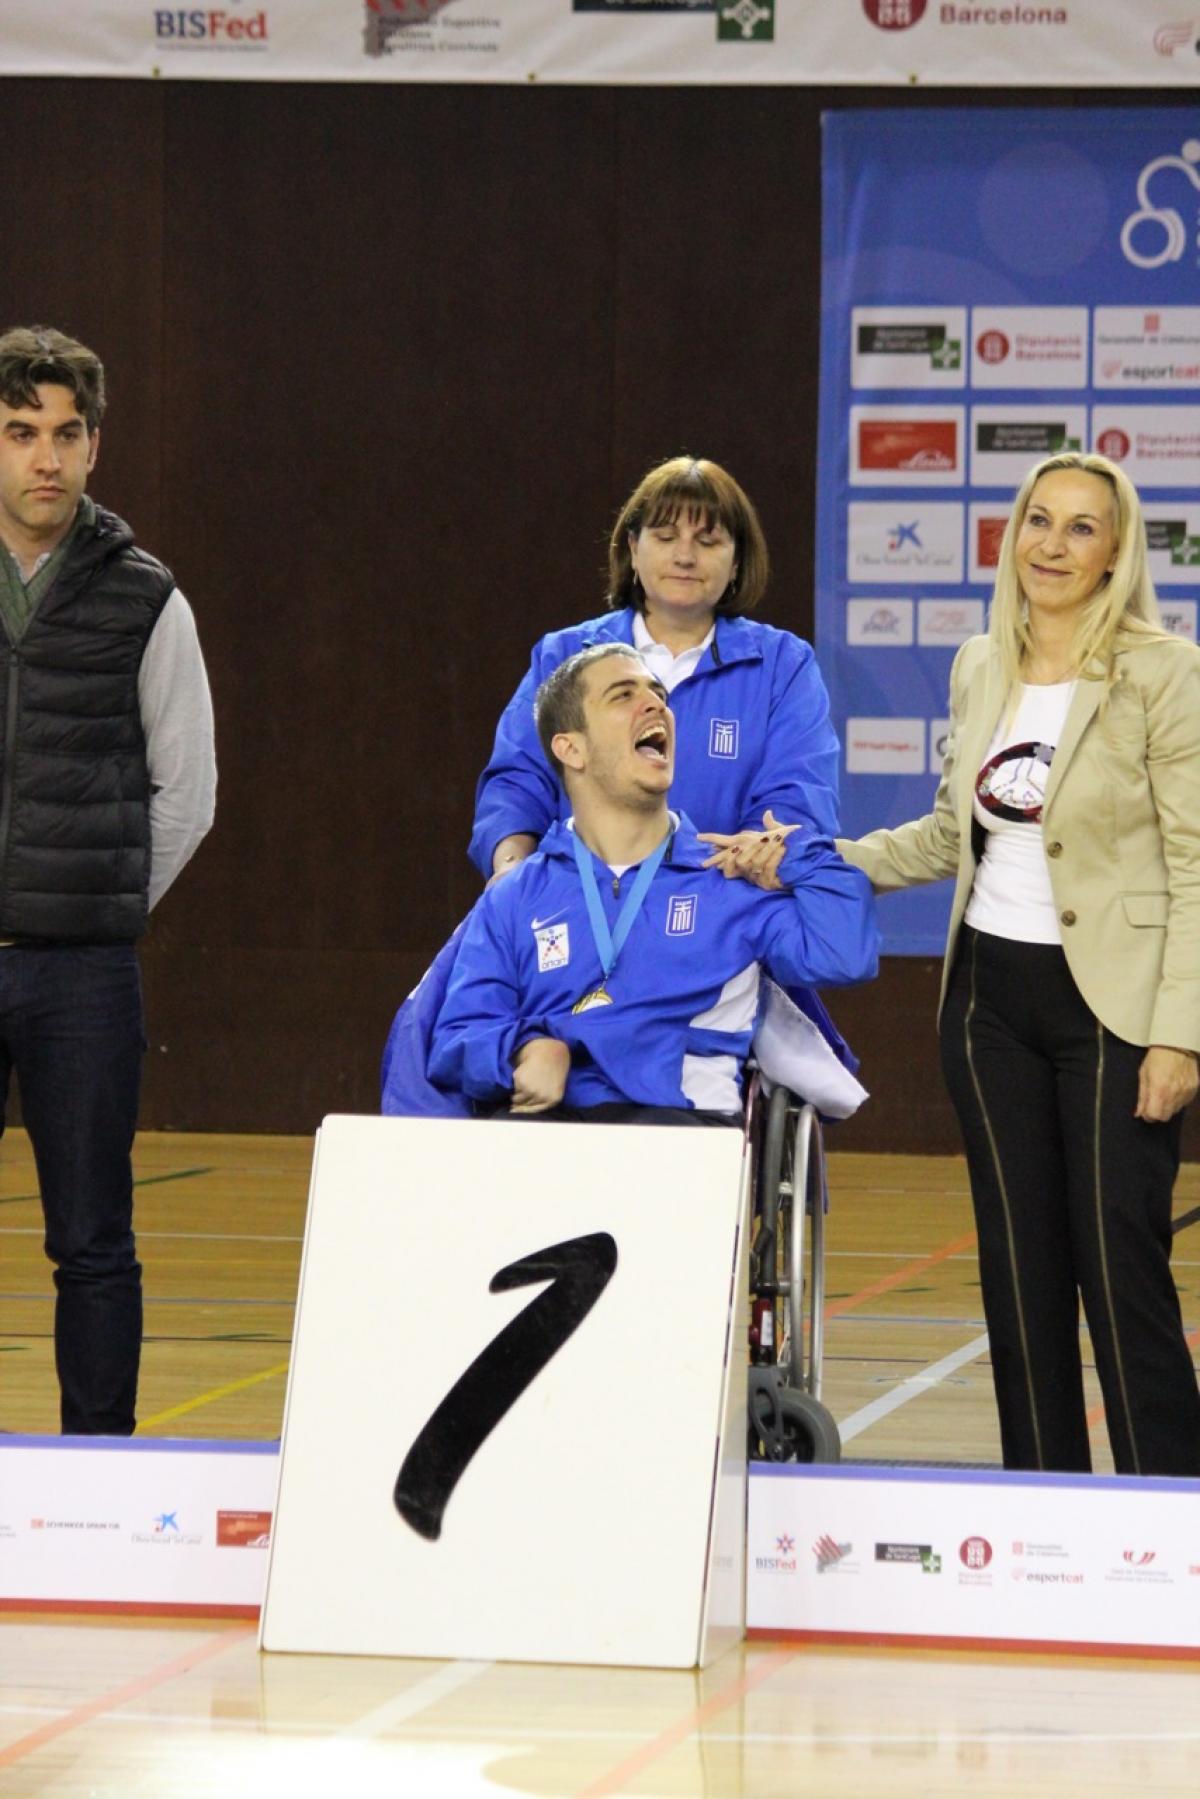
{"x": 71, "y": 1025}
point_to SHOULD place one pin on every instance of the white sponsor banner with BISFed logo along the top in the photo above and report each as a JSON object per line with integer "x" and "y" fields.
{"x": 1026, "y": 44}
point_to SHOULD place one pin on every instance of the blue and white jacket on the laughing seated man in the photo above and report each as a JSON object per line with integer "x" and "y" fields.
{"x": 686, "y": 983}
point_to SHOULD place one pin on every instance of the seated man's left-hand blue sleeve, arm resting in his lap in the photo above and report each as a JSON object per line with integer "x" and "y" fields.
{"x": 479, "y": 1026}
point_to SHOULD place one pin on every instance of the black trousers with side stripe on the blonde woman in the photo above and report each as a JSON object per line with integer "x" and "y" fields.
{"x": 1073, "y": 1199}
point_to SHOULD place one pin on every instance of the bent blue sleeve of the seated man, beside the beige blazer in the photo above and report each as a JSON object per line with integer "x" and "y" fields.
{"x": 825, "y": 935}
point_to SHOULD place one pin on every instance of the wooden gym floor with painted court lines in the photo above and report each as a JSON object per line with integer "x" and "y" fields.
{"x": 157, "y": 1710}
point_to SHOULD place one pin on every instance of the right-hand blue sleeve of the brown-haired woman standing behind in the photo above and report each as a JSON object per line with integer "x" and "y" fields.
{"x": 800, "y": 774}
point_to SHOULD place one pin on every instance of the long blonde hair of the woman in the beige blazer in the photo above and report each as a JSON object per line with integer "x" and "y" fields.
{"x": 1122, "y": 613}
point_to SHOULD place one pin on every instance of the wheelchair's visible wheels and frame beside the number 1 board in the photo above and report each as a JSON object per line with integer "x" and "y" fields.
{"x": 787, "y": 1422}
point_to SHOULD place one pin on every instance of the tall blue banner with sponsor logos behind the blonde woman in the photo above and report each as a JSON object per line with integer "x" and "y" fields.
{"x": 998, "y": 285}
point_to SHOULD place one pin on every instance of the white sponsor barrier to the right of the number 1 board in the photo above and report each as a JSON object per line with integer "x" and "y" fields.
{"x": 976, "y": 1559}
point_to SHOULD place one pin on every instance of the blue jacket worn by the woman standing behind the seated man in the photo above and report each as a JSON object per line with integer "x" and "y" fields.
{"x": 751, "y": 726}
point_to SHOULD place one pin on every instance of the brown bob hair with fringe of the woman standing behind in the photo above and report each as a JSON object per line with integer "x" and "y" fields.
{"x": 706, "y": 492}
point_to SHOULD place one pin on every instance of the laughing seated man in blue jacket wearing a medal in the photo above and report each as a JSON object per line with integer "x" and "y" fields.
{"x": 614, "y": 976}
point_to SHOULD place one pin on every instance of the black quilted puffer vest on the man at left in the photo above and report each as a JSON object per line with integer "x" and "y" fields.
{"x": 75, "y": 789}
